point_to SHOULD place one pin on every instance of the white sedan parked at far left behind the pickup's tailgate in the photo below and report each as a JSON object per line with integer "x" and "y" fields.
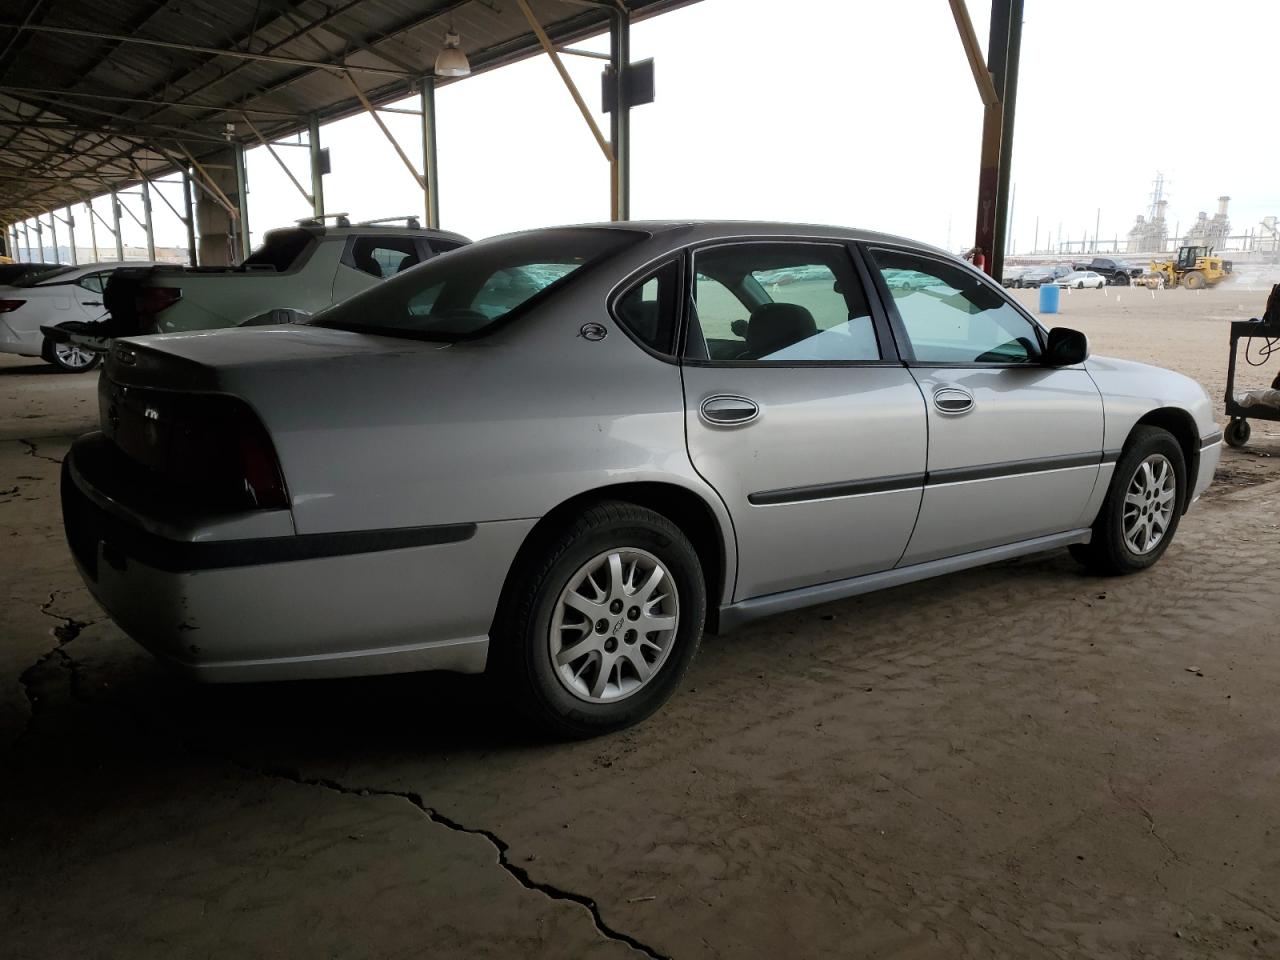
{"x": 47, "y": 301}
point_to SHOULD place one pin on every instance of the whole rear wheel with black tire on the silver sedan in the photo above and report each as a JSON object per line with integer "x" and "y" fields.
{"x": 601, "y": 621}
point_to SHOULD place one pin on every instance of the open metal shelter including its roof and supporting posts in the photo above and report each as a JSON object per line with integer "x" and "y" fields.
{"x": 106, "y": 98}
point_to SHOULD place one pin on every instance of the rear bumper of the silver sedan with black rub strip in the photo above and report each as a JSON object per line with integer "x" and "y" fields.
{"x": 291, "y": 607}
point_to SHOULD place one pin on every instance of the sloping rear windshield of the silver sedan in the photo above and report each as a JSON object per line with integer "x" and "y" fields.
{"x": 474, "y": 289}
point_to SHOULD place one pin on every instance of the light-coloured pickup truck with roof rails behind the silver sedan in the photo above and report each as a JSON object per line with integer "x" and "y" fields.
{"x": 298, "y": 271}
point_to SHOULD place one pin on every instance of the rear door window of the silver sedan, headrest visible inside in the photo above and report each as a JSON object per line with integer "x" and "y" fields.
{"x": 780, "y": 303}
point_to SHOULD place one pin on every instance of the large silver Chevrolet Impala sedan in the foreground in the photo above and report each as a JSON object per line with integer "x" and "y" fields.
{"x": 559, "y": 456}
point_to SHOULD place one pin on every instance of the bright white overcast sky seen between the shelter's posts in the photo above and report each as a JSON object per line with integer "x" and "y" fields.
{"x": 853, "y": 113}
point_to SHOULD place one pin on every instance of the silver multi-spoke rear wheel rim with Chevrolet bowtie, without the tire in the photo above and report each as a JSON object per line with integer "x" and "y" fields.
{"x": 614, "y": 625}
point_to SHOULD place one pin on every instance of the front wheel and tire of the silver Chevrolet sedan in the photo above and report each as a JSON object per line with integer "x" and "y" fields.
{"x": 1141, "y": 514}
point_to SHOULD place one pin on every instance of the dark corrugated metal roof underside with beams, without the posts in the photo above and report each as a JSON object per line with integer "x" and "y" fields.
{"x": 83, "y": 109}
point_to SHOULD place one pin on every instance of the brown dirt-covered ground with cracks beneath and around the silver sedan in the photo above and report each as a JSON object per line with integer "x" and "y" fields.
{"x": 1017, "y": 762}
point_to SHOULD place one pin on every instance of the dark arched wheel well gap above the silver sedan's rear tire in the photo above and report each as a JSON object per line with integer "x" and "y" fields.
{"x": 683, "y": 508}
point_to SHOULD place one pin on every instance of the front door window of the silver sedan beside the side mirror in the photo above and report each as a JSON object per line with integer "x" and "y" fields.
{"x": 952, "y": 317}
